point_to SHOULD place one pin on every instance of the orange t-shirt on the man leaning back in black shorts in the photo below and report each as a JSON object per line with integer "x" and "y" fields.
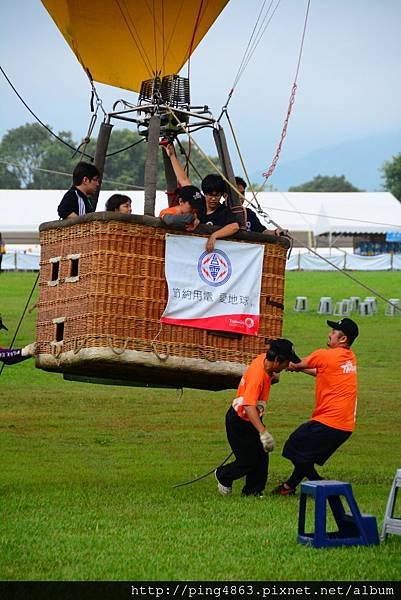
{"x": 336, "y": 387}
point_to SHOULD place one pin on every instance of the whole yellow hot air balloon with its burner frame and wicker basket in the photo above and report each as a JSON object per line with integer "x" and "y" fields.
{"x": 103, "y": 286}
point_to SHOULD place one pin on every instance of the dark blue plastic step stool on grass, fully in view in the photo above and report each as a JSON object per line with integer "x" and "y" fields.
{"x": 354, "y": 529}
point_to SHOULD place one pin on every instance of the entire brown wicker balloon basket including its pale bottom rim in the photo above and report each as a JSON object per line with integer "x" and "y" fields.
{"x": 103, "y": 291}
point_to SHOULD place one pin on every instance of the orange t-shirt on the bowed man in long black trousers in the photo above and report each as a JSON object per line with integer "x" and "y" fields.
{"x": 253, "y": 389}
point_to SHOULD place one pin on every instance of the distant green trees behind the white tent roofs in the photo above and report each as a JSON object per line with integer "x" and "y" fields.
{"x": 31, "y": 158}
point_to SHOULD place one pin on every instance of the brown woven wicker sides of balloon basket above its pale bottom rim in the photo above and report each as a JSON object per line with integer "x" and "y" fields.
{"x": 121, "y": 292}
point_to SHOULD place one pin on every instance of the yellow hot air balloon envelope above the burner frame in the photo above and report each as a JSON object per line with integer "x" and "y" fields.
{"x": 124, "y": 42}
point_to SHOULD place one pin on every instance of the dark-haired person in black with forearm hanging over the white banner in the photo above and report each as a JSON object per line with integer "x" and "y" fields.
{"x": 210, "y": 210}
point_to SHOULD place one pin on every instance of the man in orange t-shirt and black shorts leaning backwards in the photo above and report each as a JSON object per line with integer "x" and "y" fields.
{"x": 333, "y": 419}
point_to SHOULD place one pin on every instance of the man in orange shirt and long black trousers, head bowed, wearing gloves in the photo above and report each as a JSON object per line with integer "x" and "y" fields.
{"x": 248, "y": 437}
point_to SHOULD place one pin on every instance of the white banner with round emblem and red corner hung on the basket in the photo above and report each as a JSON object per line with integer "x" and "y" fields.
{"x": 217, "y": 290}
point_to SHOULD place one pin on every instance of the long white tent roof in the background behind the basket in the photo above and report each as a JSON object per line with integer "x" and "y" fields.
{"x": 22, "y": 211}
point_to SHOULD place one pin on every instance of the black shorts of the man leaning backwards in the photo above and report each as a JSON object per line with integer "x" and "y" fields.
{"x": 313, "y": 442}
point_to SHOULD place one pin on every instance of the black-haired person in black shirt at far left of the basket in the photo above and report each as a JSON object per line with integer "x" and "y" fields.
{"x": 77, "y": 202}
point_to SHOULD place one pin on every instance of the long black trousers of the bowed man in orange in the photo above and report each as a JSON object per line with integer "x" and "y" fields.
{"x": 250, "y": 461}
